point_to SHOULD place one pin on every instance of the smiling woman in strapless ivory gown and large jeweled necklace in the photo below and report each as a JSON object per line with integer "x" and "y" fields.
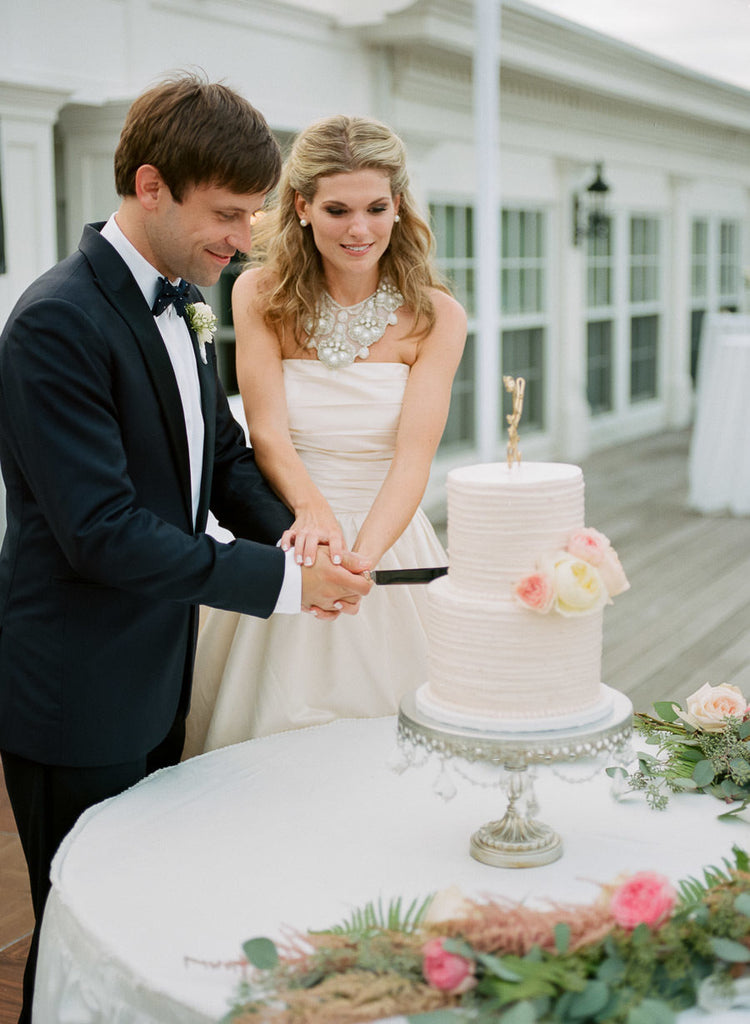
{"x": 347, "y": 349}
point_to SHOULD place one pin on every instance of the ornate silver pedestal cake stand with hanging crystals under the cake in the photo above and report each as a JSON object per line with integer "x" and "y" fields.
{"x": 519, "y": 840}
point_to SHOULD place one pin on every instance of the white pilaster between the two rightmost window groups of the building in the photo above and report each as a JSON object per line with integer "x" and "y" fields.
{"x": 678, "y": 383}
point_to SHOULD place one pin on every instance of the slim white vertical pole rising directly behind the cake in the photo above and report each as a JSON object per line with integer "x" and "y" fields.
{"x": 487, "y": 132}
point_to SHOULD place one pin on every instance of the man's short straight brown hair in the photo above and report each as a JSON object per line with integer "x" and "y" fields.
{"x": 197, "y": 133}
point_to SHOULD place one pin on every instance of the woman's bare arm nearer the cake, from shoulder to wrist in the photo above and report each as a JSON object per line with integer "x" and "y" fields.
{"x": 424, "y": 416}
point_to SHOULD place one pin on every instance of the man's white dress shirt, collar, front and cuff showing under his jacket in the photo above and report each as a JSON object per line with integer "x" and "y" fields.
{"x": 182, "y": 355}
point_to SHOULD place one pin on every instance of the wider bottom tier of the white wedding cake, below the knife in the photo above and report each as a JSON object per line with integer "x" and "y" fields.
{"x": 496, "y": 660}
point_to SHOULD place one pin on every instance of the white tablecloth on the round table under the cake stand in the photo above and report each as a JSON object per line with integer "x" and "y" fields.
{"x": 155, "y": 886}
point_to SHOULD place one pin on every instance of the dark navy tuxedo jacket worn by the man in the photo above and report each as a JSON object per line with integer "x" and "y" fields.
{"x": 101, "y": 570}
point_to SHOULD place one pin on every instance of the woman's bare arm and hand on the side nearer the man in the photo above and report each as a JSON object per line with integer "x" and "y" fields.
{"x": 262, "y": 385}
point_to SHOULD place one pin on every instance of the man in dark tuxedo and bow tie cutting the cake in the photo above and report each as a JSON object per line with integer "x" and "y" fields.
{"x": 116, "y": 440}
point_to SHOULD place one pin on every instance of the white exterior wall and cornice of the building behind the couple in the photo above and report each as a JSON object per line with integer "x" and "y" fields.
{"x": 675, "y": 145}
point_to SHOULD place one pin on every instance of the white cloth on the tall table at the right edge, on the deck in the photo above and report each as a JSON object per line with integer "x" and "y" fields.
{"x": 720, "y": 456}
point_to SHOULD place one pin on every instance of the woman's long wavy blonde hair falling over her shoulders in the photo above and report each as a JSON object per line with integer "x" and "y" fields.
{"x": 296, "y": 279}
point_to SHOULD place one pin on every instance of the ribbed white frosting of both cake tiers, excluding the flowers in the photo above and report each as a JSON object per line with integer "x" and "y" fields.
{"x": 488, "y": 655}
